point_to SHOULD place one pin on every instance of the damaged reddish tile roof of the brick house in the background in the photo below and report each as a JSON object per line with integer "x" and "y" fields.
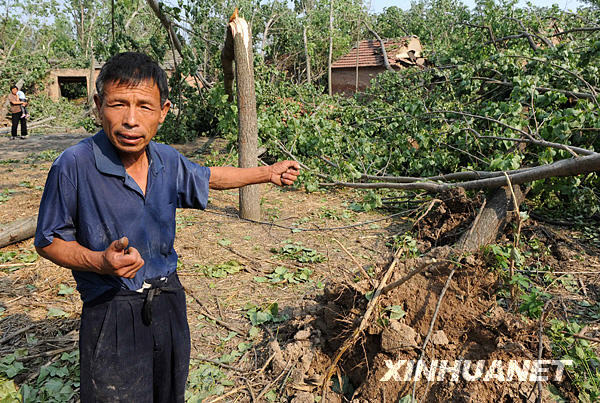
{"x": 369, "y": 53}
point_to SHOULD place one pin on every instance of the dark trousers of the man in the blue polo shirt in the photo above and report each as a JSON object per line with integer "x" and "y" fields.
{"x": 122, "y": 359}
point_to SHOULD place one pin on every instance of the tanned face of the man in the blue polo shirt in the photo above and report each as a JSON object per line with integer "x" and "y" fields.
{"x": 131, "y": 115}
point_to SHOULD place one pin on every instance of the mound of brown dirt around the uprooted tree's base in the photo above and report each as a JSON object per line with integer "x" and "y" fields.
{"x": 470, "y": 325}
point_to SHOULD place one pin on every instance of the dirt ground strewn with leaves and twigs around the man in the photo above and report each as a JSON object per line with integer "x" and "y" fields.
{"x": 270, "y": 303}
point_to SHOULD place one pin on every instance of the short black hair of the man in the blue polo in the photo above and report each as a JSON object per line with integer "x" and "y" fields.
{"x": 131, "y": 68}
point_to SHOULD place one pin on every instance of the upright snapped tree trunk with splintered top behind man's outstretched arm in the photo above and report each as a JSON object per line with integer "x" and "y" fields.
{"x": 238, "y": 48}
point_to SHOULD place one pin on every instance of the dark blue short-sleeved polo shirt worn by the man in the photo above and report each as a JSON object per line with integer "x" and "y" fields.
{"x": 90, "y": 198}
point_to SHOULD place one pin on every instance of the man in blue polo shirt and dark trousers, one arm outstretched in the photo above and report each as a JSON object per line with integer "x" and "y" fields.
{"x": 108, "y": 214}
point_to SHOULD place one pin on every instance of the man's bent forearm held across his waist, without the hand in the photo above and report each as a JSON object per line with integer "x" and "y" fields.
{"x": 72, "y": 255}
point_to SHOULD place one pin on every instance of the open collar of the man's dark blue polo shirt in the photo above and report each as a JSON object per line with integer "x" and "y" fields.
{"x": 108, "y": 161}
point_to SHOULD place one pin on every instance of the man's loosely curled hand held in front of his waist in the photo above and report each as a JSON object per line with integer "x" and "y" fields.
{"x": 119, "y": 260}
